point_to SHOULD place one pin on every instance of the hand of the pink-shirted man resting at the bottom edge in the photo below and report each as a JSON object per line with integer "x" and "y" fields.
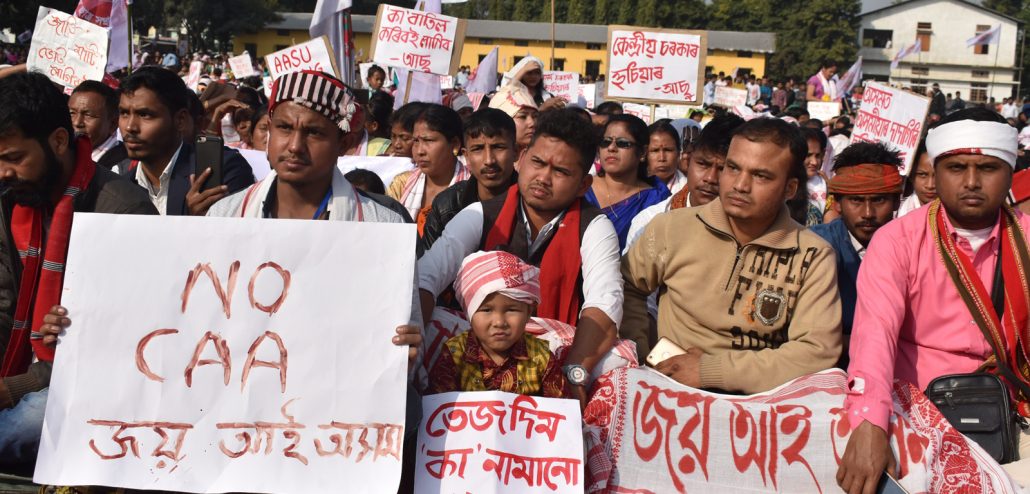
{"x": 869, "y": 453}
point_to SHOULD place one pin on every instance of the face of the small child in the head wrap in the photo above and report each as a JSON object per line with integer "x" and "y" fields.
{"x": 499, "y": 324}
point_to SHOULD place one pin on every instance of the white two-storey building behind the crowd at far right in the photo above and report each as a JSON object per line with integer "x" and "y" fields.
{"x": 943, "y": 27}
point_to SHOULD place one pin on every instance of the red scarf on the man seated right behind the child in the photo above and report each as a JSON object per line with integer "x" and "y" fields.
{"x": 561, "y": 267}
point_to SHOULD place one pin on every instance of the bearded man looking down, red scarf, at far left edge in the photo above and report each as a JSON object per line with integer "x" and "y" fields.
{"x": 47, "y": 175}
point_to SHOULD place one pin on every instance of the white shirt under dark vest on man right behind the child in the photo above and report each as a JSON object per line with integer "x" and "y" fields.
{"x": 599, "y": 250}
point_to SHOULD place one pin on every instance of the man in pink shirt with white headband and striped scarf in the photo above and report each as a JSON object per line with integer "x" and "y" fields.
{"x": 936, "y": 284}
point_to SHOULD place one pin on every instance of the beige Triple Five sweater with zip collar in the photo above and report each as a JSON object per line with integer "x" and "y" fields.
{"x": 764, "y": 313}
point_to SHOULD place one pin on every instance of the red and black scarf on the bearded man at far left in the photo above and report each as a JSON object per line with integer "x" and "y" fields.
{"x": 43, "y": 277}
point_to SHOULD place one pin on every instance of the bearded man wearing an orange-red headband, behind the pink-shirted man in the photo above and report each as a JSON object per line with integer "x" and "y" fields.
{"x": 867, "y": 190}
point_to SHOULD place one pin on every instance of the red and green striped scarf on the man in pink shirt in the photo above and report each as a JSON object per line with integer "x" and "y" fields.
{"x": 1010, "y": 337}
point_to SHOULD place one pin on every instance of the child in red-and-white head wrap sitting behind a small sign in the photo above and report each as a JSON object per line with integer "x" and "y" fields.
{"x": 499, "y": 294}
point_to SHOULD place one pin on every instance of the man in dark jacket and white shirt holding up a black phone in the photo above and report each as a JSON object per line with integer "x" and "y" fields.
{"x": 155, "y": 121}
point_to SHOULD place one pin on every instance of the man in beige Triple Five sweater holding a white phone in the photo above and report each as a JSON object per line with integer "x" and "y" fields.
{"x": 749, "y": 295}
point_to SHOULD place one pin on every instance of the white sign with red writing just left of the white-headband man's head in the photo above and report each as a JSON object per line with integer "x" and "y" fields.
{"x": 892, "y": 117}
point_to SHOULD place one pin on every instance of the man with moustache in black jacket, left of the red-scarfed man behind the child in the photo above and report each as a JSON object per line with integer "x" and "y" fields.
{"x": 490, "y": 154}
